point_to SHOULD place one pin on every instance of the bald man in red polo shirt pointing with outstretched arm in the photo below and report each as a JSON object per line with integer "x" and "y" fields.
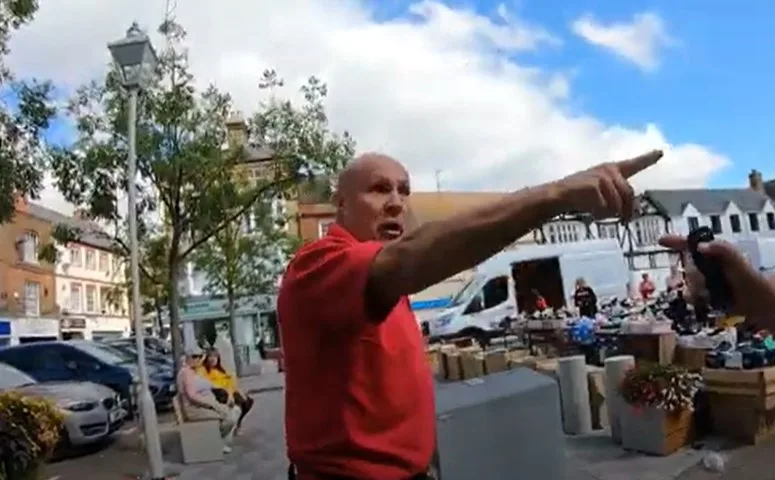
{"x": 359, "y": 397}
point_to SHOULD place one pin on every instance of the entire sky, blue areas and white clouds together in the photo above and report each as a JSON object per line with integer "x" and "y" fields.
{"x": 706, "y": 95}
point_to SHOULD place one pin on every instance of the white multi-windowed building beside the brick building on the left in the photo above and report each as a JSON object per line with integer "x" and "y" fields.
{"x": 91, "y": 287}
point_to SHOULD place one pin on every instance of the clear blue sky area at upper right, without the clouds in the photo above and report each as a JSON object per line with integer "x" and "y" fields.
{"x": 711, "y": 86}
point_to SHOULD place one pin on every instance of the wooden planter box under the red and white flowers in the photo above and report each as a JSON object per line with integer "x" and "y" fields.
{"x": 655, "y": 431}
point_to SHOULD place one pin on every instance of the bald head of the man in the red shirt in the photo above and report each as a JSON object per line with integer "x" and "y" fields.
{"x": 370, "y": 196}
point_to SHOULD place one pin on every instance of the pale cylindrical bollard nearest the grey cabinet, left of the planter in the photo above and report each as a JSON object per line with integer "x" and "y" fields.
{"x": 574, "y": 395}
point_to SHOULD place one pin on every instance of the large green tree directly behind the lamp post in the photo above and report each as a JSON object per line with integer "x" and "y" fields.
{"x": 185, "y": 173}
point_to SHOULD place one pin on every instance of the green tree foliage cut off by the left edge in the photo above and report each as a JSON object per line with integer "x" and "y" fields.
{"x": 25, "y": 112}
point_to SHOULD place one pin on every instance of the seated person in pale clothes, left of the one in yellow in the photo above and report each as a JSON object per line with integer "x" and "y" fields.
{"x": 197, "y": 400}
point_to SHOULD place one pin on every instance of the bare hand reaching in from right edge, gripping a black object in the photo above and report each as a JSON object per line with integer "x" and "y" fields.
{"x": 753, "y": 294}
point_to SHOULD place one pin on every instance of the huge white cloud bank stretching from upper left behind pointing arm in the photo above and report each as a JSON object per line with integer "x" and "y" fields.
{"x": 439, "y": 90}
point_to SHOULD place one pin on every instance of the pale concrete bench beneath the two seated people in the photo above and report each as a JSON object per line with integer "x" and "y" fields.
{"x": 200, "y": 440}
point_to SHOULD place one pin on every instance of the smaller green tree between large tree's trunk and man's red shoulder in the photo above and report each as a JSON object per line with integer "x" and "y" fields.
{"x": 244, "y": 259}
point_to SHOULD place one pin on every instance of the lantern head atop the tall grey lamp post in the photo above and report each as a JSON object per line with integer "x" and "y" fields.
{"x": 135, "y": 57}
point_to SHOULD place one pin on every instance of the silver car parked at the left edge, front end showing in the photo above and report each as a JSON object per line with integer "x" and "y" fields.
{"x": 91, "y": 411}
